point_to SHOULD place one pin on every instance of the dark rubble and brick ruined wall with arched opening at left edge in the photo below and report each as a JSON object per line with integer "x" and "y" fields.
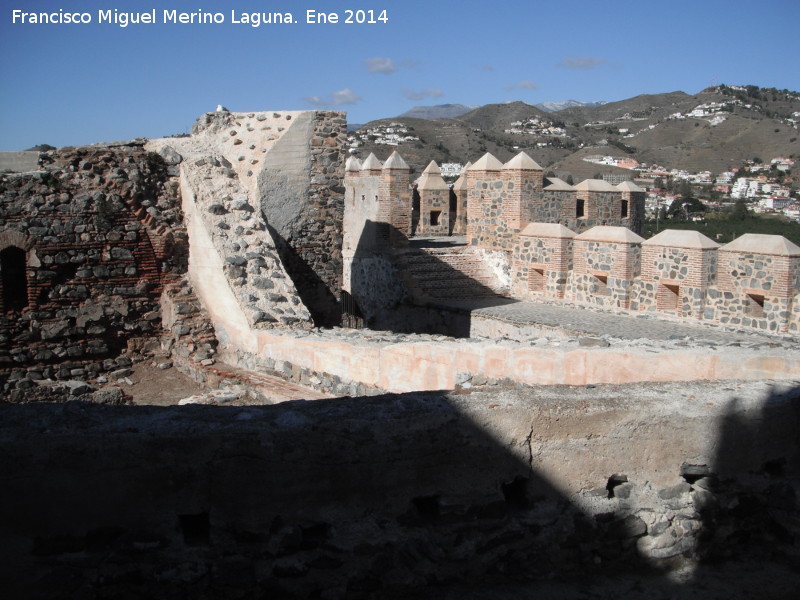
{"x": 87, "y": 244}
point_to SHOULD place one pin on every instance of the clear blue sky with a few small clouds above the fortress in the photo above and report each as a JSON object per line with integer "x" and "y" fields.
{"x": 77, "y": 84}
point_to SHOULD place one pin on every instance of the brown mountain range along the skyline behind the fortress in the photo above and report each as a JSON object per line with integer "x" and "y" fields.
{"x": 715, "y": 130}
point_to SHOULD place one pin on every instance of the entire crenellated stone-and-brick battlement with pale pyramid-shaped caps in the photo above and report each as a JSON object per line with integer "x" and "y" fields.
{"x": 578, "y": 243}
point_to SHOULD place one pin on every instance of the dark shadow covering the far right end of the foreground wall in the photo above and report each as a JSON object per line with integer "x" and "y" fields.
{"x": 748, "y": 499}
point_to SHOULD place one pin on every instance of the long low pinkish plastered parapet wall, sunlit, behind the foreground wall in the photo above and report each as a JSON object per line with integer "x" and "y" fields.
{"x": 402, "y": 363}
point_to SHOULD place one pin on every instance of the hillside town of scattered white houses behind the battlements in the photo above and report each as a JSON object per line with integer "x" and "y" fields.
{"x": 763, "y": 186}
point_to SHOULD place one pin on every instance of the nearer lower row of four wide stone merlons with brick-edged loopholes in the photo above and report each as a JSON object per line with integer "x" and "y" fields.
{"x": 751, "y": 282}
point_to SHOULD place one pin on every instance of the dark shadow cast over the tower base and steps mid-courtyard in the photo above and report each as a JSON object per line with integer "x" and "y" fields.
{"x": 401, "y": 287}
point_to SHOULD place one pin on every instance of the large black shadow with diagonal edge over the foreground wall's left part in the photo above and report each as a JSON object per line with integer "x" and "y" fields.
{"x": 391, "y": 496}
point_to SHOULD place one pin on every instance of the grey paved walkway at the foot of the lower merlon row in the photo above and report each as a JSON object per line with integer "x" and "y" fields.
{"x": 595, "y": 322}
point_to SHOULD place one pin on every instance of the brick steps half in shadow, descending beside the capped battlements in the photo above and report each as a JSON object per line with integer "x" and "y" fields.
{"x": 432, "y": 274}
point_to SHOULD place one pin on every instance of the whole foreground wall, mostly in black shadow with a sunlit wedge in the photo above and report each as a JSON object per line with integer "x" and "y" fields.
{"x": 363, "y": 497}
